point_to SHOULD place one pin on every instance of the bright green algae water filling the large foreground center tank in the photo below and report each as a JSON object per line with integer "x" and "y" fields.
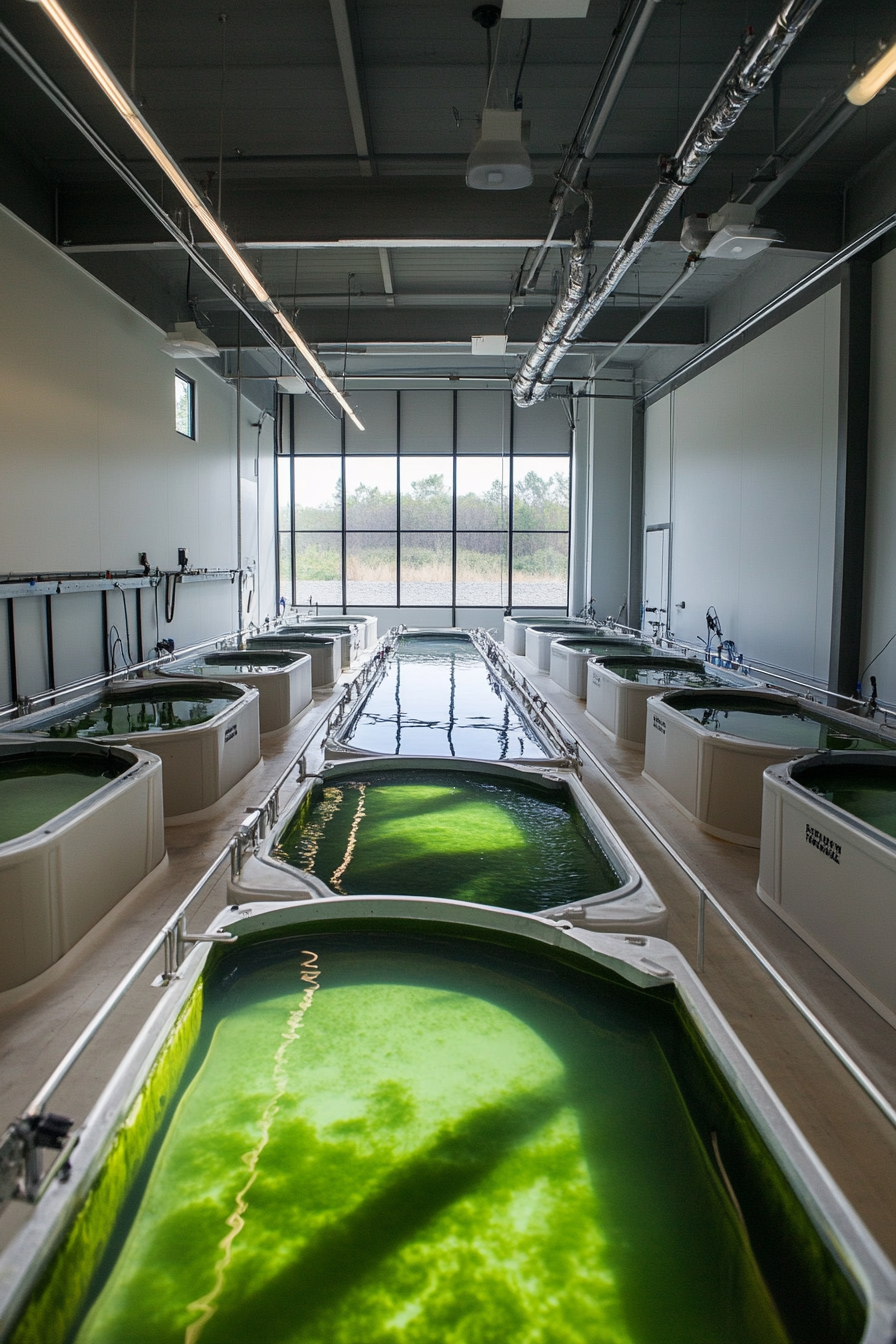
{"x": 393, "y": 1142}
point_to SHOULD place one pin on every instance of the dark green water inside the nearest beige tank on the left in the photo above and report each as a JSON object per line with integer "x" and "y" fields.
{"x": 37, "y": 788}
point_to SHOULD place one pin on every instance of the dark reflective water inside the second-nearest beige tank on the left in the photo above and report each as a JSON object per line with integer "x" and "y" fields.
{"x": 142, "y": 710}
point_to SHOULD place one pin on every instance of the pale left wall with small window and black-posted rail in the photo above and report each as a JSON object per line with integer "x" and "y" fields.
{"x": 93, "y": 471}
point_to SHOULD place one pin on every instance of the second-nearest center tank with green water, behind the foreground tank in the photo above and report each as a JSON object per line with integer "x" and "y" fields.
{"x": 459, "y": 830}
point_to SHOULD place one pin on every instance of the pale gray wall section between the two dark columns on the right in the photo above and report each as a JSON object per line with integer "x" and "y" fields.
{"x": 742, "y": 463}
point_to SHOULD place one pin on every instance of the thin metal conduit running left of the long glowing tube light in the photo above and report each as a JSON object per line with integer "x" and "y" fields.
{"x": 24, "y": 58}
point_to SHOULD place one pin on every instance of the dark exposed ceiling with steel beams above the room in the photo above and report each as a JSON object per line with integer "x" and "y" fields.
{"x": 332, "y": 136}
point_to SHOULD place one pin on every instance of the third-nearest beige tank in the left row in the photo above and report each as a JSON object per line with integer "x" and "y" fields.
{"x": 283, "y": 681}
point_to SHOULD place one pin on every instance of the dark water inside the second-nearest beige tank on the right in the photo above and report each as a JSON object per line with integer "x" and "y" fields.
{"x": 784, "y": 726}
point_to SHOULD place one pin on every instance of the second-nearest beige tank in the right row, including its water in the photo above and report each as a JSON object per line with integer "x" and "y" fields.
{"x": 707, "y": 751}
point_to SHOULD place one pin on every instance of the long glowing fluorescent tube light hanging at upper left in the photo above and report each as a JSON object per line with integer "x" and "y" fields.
{"x": 151, "y": 142}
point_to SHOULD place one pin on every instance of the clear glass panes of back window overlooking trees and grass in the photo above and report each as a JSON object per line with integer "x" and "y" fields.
{"x": 449, "y": 530}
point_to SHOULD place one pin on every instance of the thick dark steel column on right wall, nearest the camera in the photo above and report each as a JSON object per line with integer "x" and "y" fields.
{"x": 852, "y": 475}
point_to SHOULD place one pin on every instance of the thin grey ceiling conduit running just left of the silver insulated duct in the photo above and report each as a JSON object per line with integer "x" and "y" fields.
{"x": 624, "y": 48}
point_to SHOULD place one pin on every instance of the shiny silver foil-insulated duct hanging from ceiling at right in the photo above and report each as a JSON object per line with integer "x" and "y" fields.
{"x": 749, "y": 73}
